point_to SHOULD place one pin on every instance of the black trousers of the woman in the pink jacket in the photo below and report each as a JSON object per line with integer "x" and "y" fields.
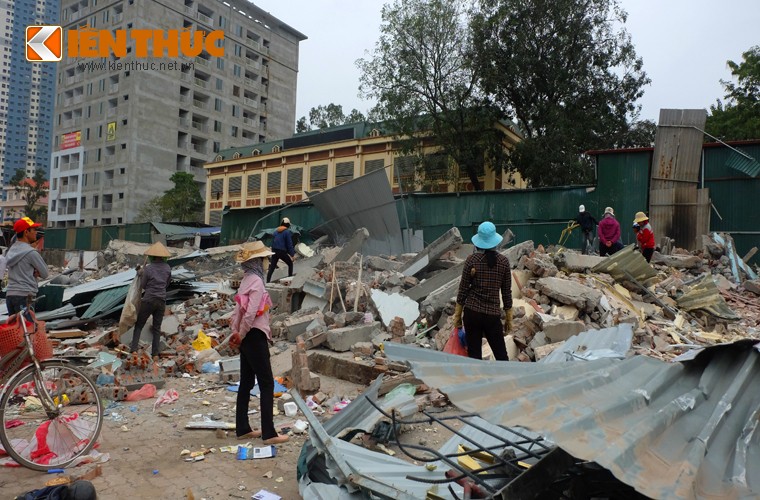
{"x": 255, "y": 365}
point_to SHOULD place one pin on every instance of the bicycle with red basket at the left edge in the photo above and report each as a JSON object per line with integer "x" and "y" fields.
{"x": 50, "y": 411}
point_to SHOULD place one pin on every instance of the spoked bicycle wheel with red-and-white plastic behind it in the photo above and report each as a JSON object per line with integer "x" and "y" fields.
{"x": 43, "y": 438}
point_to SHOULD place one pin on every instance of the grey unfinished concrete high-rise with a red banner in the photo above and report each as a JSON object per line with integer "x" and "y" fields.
{"x": 126, "y": 123}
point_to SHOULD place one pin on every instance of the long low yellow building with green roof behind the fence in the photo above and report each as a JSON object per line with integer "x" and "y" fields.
{"x": 280, "y": 172}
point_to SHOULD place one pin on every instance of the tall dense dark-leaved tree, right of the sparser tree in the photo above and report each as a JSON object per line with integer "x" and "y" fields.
{"x": 567, "y": 72}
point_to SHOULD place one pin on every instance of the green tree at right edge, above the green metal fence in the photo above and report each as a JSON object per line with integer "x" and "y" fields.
{"x": 738, "y": 118}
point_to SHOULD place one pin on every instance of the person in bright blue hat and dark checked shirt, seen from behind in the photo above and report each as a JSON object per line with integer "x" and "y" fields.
{"x": 486, "y": 273}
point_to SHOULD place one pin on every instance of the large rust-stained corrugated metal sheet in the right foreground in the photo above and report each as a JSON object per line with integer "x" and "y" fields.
{"x": 671, "y": 430}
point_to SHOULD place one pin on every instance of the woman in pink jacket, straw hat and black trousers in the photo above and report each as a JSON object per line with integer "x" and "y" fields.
{"x": 250, "y": 331}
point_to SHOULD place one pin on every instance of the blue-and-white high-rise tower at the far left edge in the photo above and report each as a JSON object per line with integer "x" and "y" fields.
{"x": 26, "y": 90}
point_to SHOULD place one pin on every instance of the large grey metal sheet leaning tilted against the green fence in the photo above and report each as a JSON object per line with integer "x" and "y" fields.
{"x": 368, "y": 202}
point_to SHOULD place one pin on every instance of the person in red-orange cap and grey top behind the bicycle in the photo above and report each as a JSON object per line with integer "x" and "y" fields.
{"x": 25, "y": 265}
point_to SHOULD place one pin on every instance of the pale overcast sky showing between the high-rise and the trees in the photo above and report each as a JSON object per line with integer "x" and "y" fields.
{"x": 684, "y": 43}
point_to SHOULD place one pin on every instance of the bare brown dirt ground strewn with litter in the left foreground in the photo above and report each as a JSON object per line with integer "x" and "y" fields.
{"x": 145, "y": 447}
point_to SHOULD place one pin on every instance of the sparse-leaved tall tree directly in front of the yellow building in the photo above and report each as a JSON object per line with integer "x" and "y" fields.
{"x": 420, "y": 74}
